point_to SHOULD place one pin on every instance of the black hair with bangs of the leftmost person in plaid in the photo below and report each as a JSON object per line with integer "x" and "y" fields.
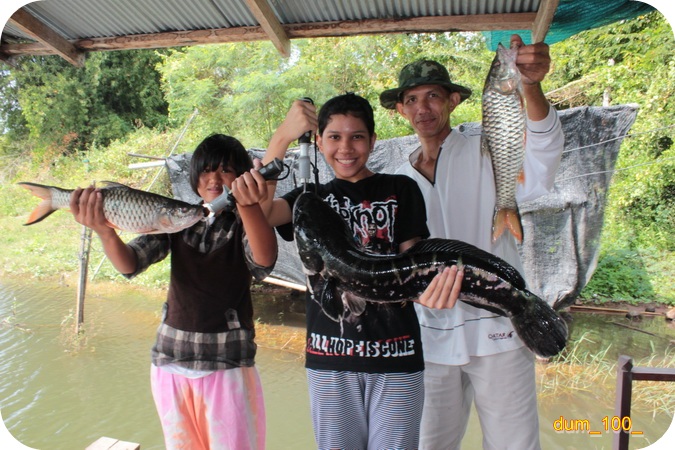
{"x": 215, "y": 150}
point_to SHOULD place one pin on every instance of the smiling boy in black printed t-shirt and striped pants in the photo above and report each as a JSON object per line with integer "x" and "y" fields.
{"x": 365, "y": 374}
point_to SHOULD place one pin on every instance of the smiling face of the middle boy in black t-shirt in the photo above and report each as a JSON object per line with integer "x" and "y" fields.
{"x": 346, "y": 145}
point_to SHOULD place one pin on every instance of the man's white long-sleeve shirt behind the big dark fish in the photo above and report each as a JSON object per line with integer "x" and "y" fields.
{"x": 460, "y": 205}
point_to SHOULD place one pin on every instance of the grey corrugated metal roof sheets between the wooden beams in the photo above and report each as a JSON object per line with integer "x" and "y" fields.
{"x": 81, "y": 19}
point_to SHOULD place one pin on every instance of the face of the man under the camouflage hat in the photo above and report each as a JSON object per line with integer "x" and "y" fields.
{"x": 428, "y": 109}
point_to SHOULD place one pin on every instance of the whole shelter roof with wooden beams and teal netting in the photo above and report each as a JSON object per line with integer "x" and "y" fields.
{"x": 82, "y": 26}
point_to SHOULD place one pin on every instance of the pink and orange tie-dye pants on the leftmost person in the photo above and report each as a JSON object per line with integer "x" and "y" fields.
{"x": 221, "y": 411}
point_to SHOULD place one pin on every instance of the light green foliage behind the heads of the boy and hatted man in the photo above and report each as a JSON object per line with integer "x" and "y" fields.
{"x": 245, "y": 89}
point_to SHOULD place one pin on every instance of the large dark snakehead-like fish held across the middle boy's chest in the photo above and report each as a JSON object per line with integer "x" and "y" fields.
{"x": 343, "y": 277}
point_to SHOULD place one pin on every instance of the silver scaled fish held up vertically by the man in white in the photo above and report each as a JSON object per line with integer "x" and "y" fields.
{"x": 504, "y": 137}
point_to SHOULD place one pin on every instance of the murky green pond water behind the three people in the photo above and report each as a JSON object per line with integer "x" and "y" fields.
{"x": 58, "y": 392}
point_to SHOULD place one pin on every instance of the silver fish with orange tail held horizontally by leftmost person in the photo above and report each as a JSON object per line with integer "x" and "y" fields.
{"x": 125, "y": 208}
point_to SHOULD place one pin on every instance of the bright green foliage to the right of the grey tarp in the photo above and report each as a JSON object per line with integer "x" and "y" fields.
{"x": 630, "y": 62}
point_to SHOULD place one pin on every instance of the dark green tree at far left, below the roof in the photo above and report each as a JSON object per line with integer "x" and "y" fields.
{"x": 66, "y": 108}
